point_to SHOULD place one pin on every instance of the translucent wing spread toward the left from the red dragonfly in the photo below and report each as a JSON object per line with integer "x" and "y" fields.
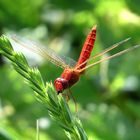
{"x": 49, "y": 54}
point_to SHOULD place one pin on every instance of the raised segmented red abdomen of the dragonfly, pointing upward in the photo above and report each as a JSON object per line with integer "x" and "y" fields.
{"x": 87, "y": 49}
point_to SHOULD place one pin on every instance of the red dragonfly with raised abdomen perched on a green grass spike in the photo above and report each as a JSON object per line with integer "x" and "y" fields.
{"x": 72, "y": 72}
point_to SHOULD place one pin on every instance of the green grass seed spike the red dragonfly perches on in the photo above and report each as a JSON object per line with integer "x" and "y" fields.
{"x": 56, "y": 105}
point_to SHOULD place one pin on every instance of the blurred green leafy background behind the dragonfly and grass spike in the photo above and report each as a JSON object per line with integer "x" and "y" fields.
{"x": 108, "y": 95}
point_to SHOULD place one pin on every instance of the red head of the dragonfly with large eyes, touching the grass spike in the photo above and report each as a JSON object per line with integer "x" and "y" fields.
{"x": 60, "y": 84}
